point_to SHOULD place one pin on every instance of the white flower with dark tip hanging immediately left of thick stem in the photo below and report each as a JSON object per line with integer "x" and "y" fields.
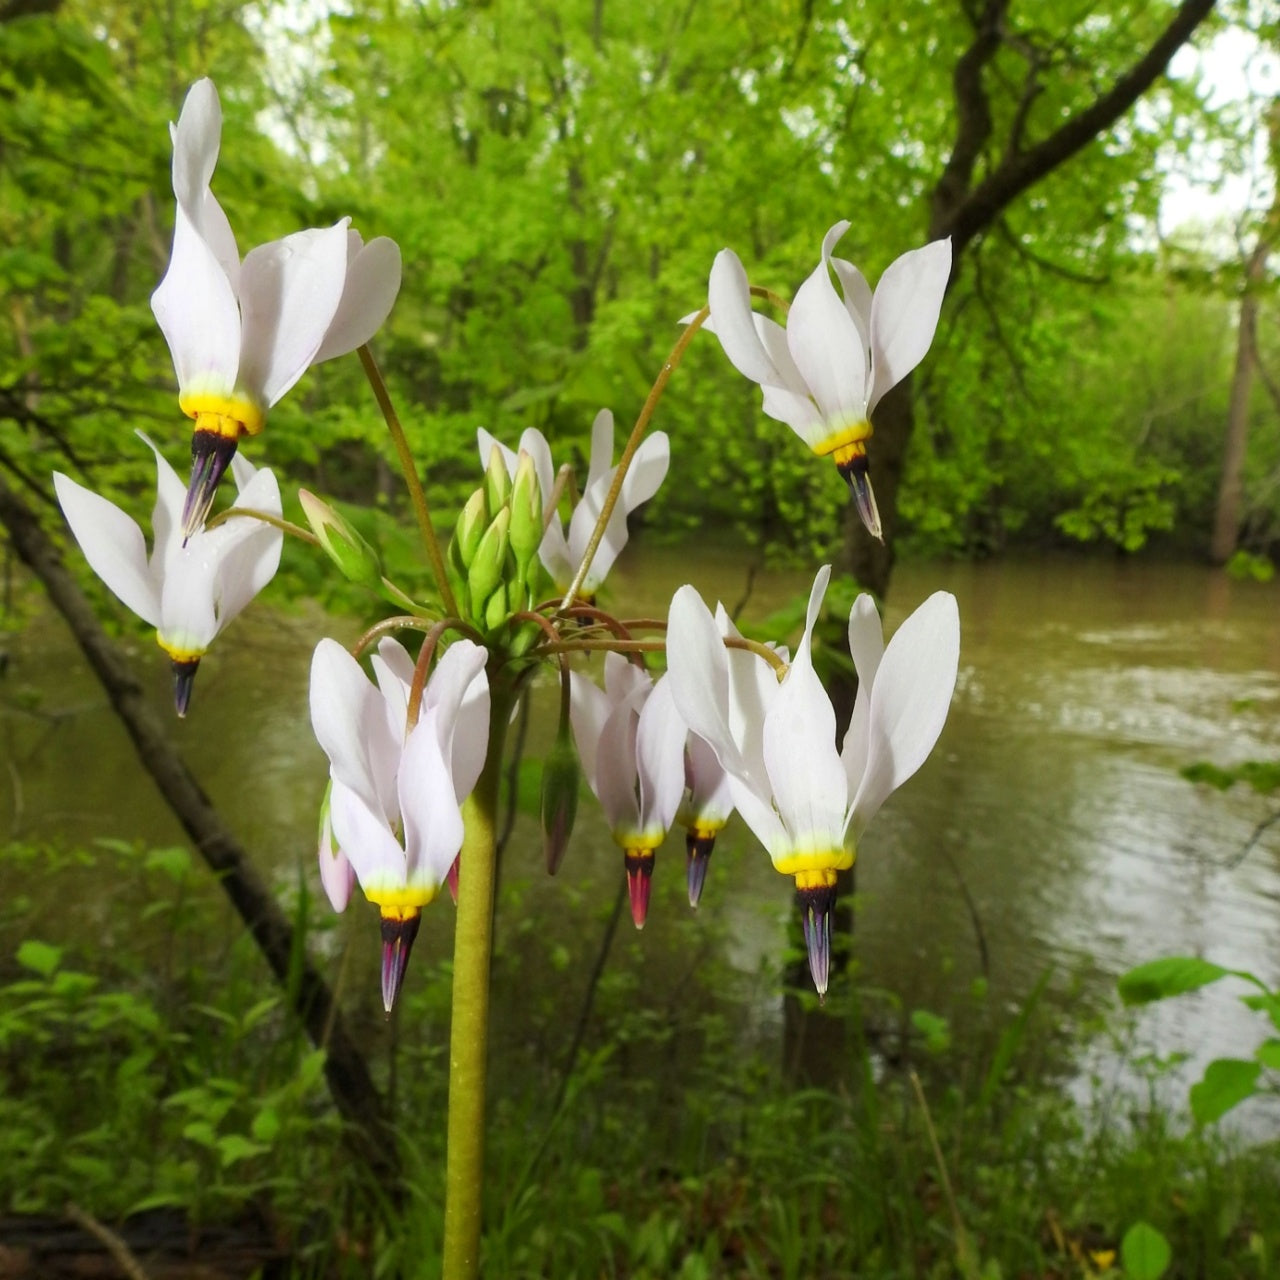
{"x": 396, "y": 793}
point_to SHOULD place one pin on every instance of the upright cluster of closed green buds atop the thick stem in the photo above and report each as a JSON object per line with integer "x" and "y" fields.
{"x": 493, "y": 556}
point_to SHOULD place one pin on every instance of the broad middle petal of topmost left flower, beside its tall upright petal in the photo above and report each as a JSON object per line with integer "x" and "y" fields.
{"x": 290, "y": 294}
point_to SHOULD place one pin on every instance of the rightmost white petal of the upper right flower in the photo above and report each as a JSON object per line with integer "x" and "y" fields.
{"x": 906, "y": 314}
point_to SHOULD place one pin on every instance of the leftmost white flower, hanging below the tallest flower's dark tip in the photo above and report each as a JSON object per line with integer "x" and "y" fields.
{"x": 188, "y": 591}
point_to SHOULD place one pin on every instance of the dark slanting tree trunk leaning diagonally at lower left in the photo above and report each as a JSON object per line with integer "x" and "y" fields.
{"x": 348, "y": 1073}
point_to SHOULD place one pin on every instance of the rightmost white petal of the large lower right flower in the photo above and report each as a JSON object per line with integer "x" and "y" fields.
{"x": 909, "y": 702}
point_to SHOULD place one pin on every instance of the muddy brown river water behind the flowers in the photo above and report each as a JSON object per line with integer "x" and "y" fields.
{"x": 1054, "y": 792}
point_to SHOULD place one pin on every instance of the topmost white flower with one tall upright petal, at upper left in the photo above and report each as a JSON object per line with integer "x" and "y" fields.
{"x": 244, "y": 333}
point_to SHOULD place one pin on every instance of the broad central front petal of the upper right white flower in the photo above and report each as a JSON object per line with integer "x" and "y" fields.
{"x": 826, "y": 348}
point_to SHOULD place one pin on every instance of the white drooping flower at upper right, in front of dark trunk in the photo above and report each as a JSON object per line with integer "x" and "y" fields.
{"x": 840, "y": 353}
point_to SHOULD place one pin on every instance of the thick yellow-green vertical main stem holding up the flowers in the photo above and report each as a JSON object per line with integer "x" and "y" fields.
{"x": 469, "y": 1036}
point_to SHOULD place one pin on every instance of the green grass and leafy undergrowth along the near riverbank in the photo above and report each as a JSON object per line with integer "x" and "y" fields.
{"x": 161, "y": 1069}
